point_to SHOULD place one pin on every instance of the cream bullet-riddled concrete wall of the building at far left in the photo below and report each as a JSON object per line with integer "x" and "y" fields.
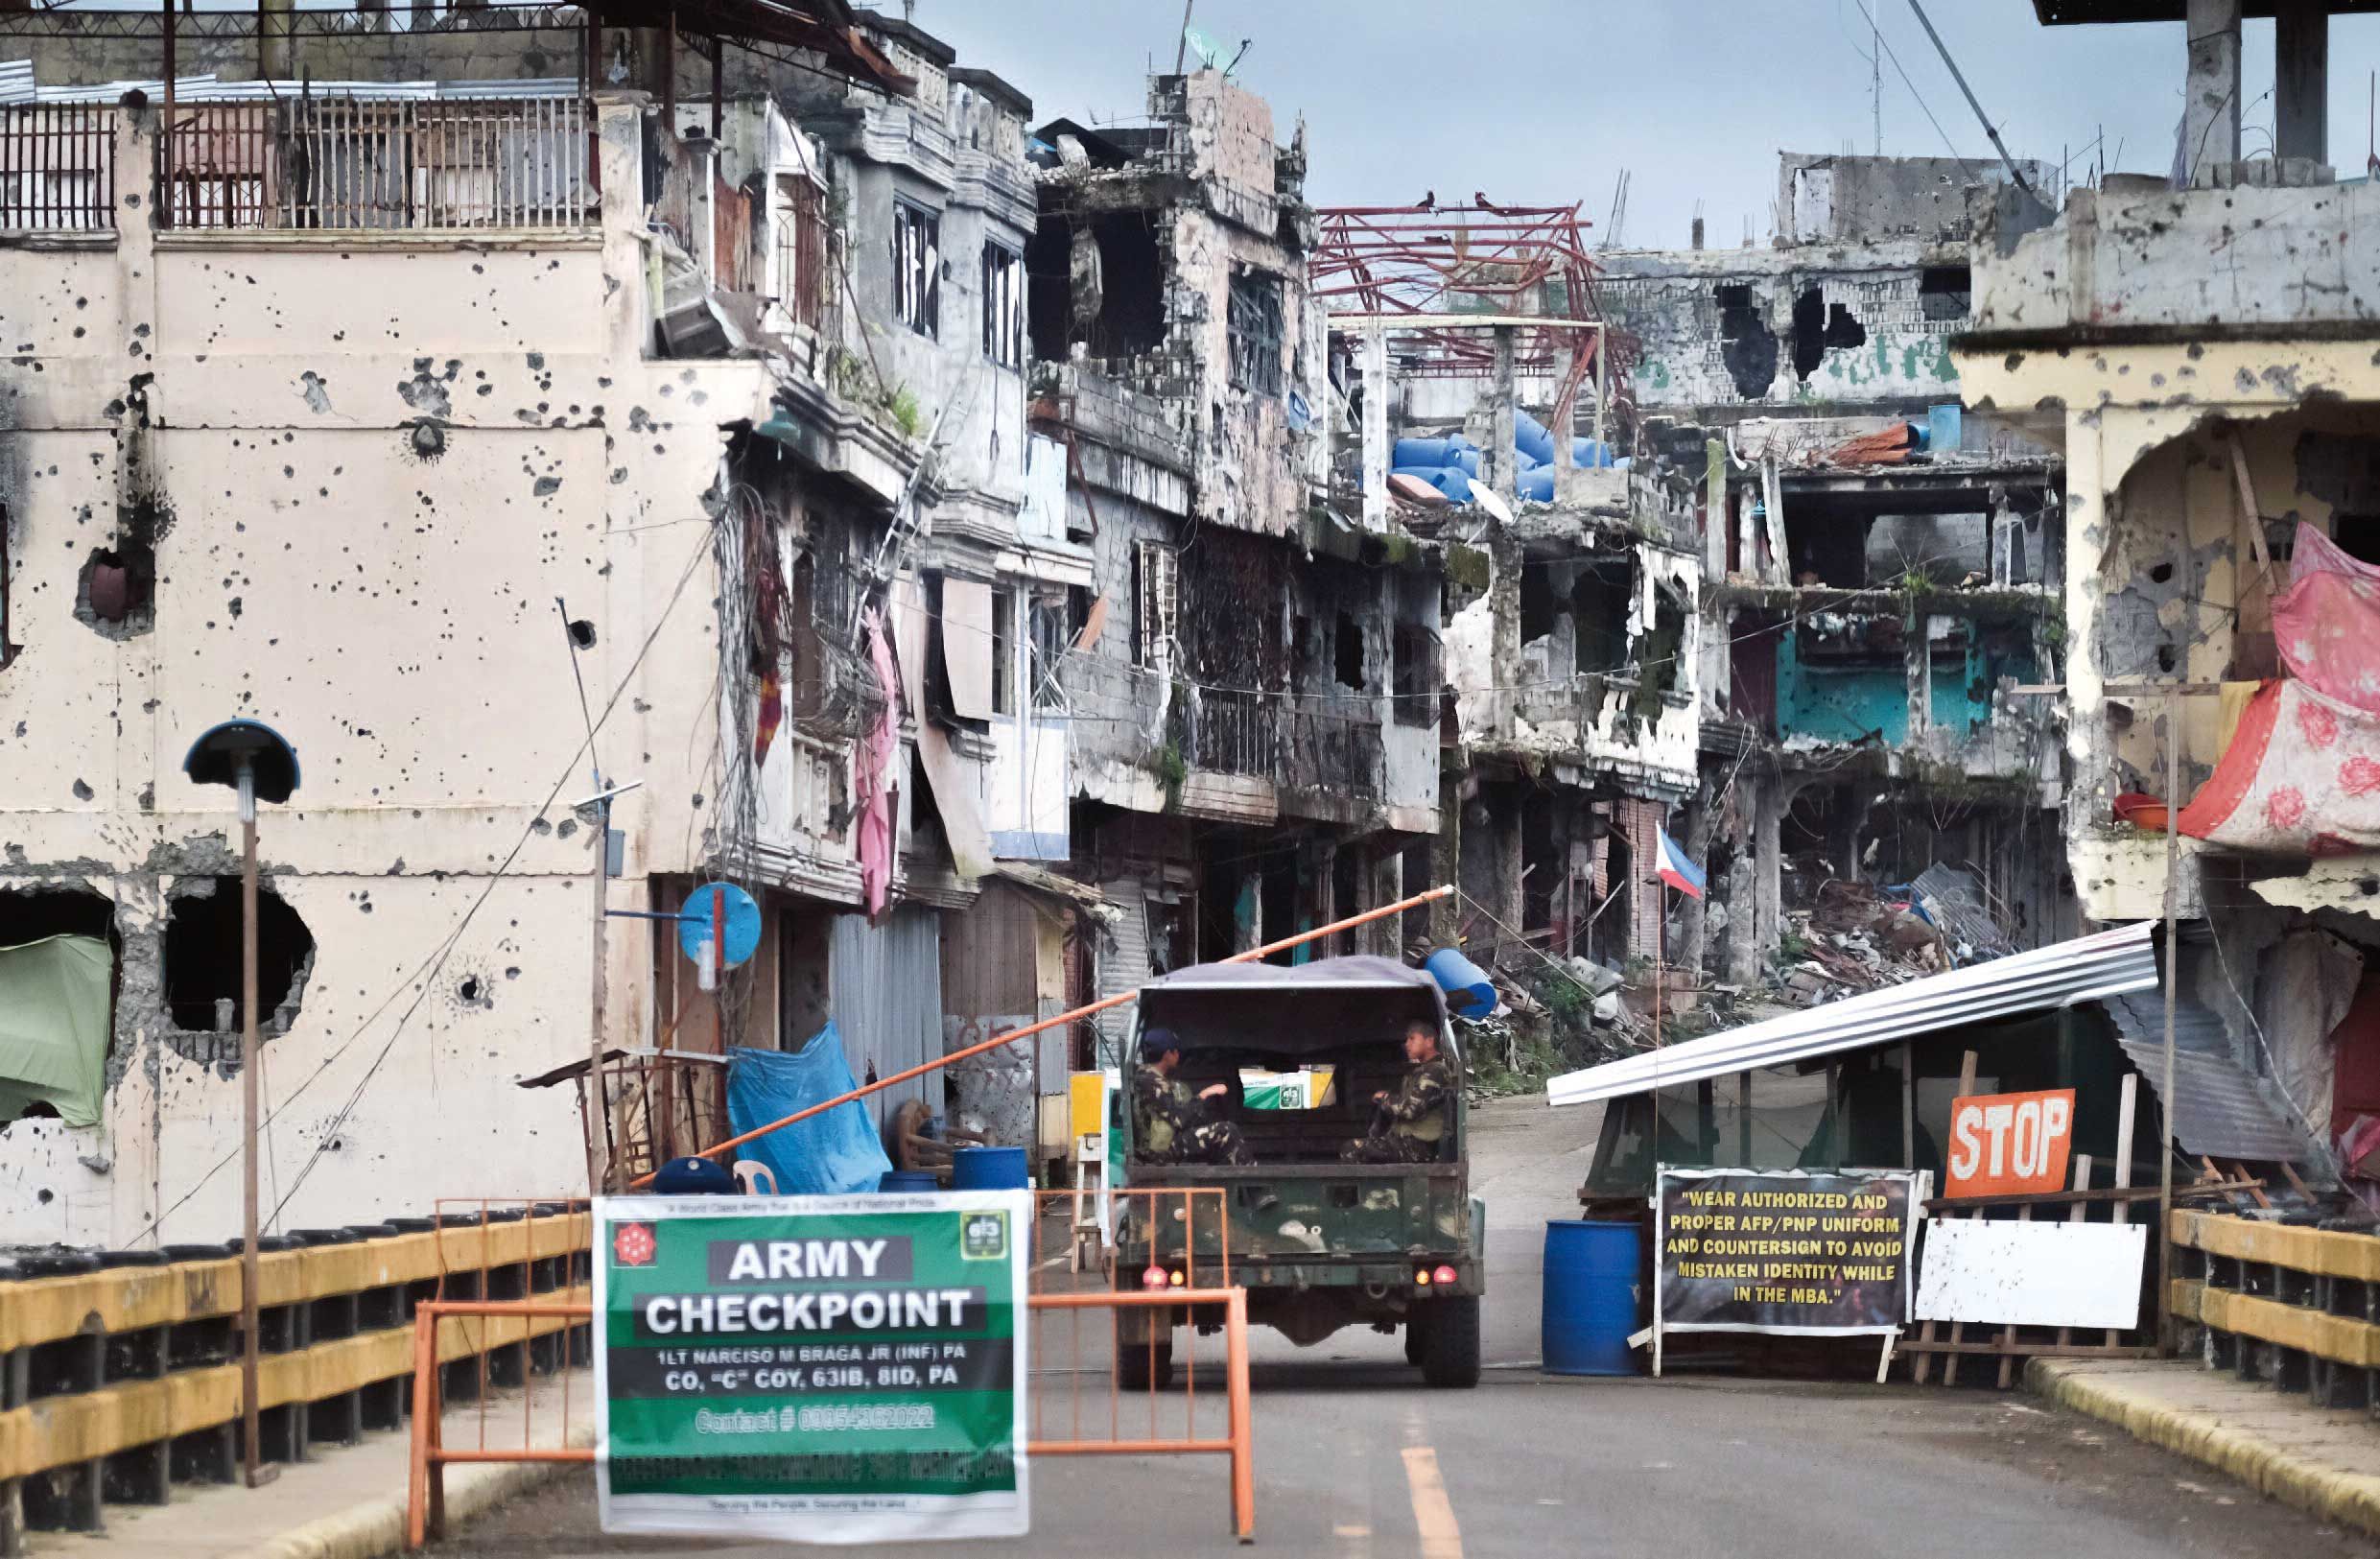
{"x": 368, "y": 465}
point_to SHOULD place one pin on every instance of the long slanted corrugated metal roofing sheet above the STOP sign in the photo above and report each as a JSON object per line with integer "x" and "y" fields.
{"x": 2086, "y": 970}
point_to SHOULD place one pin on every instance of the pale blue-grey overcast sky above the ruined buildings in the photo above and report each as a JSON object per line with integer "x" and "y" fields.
{"x": 1546, "y": 101}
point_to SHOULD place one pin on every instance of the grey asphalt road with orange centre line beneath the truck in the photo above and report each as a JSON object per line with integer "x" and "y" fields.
{"x": 1358, "y": 1458}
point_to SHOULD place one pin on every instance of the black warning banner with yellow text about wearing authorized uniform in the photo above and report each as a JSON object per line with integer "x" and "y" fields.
{"x": 1784, "y": 1251}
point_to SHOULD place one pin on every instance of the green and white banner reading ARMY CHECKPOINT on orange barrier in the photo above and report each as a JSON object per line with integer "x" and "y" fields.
{"x": 813, "y": 1370}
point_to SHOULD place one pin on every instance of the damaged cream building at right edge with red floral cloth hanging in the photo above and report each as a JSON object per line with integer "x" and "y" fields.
{"x": 2200, "y": 351}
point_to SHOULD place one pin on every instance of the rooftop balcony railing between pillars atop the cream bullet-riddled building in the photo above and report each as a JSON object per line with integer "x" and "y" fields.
{"x": 380, "y": 165}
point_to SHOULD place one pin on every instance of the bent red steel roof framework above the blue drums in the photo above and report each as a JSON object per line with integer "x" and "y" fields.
{"x": 1505, "y": 261}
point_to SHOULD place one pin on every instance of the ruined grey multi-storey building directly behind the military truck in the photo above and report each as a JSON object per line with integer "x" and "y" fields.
{"x": 1253, "y": 675}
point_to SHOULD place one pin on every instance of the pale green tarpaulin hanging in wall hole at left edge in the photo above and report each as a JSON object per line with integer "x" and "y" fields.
{"x": 54, "y": 1027}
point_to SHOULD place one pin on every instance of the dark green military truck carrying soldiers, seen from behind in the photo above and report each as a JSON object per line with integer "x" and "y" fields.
{"x": 1315, "y": 1241}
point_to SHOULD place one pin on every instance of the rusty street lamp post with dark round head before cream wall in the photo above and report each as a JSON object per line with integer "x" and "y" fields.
{"x": 258, "y": 765}
